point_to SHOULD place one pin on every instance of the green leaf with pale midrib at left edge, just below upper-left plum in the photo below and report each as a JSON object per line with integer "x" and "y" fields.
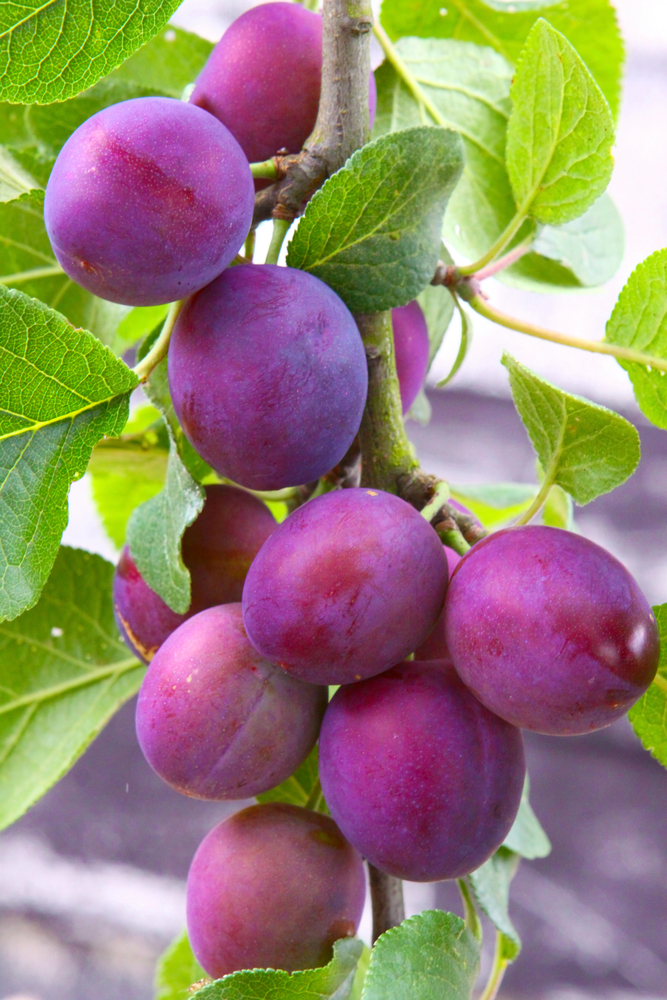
{"x": 27, "y": 262}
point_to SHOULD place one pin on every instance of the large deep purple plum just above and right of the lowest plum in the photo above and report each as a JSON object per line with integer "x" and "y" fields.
{"x": 422, "y": 779}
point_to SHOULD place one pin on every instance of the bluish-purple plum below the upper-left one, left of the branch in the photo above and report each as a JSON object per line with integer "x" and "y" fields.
{"x": 268, "y": 376}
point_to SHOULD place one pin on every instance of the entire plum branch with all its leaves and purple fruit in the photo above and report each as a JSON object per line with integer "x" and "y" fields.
{"x": 279, "y": 534}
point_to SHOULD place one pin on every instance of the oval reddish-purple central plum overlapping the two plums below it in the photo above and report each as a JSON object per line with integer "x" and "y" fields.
{"x": 348, "y": 585}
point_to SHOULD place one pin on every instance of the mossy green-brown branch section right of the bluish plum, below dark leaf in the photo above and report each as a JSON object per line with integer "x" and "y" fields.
{"x": 386, "y": 452}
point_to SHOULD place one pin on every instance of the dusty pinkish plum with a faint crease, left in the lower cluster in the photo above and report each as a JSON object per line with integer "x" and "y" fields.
{"x": 217, "y": 721}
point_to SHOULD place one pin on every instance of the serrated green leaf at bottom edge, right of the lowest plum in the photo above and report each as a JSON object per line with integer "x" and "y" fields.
{"x": 432, "y": 956}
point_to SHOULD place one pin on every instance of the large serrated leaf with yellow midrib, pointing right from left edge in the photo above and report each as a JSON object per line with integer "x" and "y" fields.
{"x": 61, "y": 391}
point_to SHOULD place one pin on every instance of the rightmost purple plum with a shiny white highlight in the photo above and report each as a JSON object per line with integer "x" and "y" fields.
{"x": 549, "y": 630}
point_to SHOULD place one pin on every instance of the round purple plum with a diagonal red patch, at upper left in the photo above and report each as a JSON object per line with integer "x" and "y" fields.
{"x": 148, "y": 201}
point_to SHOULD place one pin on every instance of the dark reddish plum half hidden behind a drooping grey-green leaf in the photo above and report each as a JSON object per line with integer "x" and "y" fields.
{"x": 217, "y": 549}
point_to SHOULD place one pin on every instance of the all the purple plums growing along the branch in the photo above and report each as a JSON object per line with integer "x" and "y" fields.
{"x": 421, "y": 759}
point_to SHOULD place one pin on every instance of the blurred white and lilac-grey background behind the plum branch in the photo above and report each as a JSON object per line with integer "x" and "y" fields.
{"x": 92, "y": 879}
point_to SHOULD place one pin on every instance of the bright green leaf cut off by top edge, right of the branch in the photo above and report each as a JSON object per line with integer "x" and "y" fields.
{"x": 590, "y": 25}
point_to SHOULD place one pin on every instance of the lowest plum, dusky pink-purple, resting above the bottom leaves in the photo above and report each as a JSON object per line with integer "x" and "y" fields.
{"x": 273, "y": 886}
